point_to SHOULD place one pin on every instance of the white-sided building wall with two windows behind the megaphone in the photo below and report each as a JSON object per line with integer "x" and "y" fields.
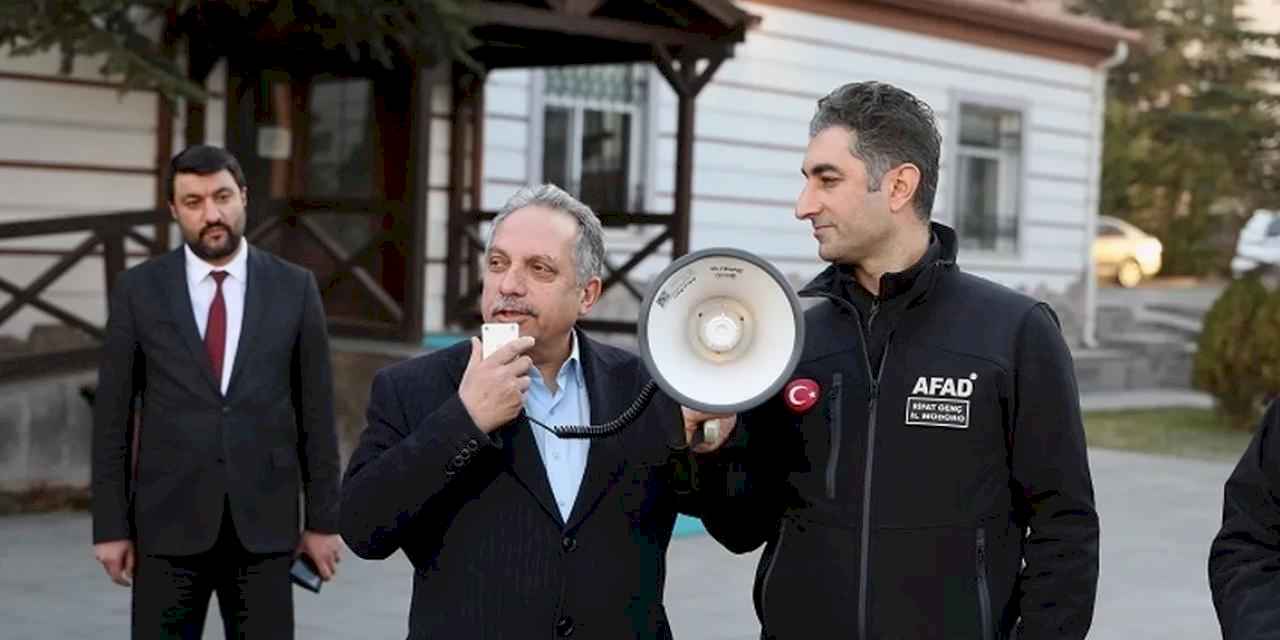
{"x": 1018, "y": 92}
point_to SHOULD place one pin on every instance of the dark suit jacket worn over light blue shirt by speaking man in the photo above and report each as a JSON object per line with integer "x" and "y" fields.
{"x": 477, "y": 516}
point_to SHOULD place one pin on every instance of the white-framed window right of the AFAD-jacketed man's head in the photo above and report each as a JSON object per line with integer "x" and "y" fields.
{"x": 989, "y": 176}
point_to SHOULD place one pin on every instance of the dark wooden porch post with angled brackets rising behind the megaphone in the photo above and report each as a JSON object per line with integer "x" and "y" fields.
{"x": 688, "y": 83}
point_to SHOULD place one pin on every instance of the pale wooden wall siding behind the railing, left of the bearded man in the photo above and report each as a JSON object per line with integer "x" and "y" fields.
{"x": 71, "y": 147}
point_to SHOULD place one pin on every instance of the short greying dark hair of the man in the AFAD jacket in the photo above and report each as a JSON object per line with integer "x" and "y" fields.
{"x": 890, "y": 127}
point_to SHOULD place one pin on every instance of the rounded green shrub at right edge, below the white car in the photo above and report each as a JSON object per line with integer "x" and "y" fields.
{"x": 1238, "y": 358}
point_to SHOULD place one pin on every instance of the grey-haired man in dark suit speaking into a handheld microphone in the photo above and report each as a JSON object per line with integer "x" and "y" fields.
{"x": 514, "y": 532}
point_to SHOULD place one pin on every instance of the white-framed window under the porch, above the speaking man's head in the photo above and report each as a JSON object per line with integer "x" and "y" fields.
{"x": 595, "y": 134}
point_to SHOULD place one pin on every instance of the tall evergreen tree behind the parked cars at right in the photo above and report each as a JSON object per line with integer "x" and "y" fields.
{"x": 1191, "y": 131}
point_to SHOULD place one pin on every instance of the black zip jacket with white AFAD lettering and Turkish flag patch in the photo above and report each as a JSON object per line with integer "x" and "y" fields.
{"x": 906, "y": 502}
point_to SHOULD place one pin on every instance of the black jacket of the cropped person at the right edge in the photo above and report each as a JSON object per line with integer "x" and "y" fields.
{"x": 1245, "y": 559}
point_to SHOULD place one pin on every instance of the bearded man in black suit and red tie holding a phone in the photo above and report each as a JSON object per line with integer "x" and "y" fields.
{"x": 228, "y": 349}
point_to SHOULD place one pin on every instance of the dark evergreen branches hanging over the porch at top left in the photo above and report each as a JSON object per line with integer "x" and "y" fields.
{"x": 127, "y": 33}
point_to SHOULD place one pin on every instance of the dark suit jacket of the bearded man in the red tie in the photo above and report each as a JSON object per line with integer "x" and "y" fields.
{"x": 200, "y": 450}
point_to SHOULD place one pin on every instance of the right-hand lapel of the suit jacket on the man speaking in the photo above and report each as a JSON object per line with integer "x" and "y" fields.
{"x": 606, "y": 456}
